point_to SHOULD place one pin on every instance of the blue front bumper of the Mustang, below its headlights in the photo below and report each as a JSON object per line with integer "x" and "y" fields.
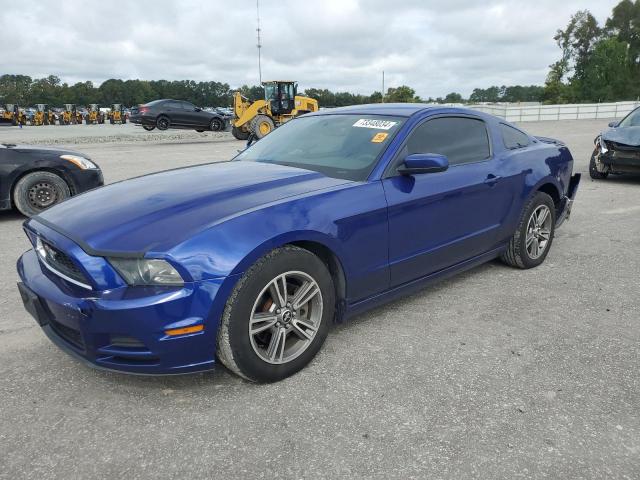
{"x": 124, "y": 330}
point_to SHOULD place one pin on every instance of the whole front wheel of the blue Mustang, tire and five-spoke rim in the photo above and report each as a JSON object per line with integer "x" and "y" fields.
{"x": 278, "y": 316}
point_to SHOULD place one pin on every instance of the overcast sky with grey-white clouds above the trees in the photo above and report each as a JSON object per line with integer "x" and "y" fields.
{"x": 433, "y": 46}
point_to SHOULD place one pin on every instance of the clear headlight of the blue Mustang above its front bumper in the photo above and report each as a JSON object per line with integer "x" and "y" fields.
{"x": 143, "y": 271}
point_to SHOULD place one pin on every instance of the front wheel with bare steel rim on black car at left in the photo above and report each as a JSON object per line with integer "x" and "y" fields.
{"x": 37, "y": 191}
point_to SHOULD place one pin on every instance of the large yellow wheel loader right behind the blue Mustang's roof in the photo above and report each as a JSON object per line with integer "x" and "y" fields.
{"x": 280, "y": 104}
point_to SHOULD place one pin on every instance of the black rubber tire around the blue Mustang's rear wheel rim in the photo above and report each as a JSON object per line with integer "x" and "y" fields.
{"x": 517, "y": 255}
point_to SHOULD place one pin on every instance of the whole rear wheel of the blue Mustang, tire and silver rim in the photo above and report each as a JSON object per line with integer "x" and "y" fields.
{"x": 532, "y": 240}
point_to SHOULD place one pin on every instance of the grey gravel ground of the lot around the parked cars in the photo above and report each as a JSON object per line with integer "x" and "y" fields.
{"x": 496, "y": 373}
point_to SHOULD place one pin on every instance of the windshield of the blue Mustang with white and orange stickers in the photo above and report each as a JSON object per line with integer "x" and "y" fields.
{"x": 340, "y": 146}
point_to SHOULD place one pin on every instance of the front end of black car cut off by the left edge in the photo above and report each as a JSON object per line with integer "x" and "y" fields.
{"x": 34, "y": 178}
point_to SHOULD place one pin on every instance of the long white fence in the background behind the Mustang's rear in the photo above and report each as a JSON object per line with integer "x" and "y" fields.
{"x": 532, "y": 113}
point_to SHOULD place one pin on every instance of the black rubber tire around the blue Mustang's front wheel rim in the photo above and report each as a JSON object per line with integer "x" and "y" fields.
{"x": 234, "y": 343}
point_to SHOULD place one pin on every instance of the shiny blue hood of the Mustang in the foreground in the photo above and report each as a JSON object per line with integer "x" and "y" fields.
{"x": 159, "y": 211}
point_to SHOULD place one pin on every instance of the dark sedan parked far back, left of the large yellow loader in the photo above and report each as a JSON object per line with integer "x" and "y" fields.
{"x": 167, "y": 113}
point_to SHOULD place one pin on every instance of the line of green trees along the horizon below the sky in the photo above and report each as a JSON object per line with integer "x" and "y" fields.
{"x": 598, "y": 63}
